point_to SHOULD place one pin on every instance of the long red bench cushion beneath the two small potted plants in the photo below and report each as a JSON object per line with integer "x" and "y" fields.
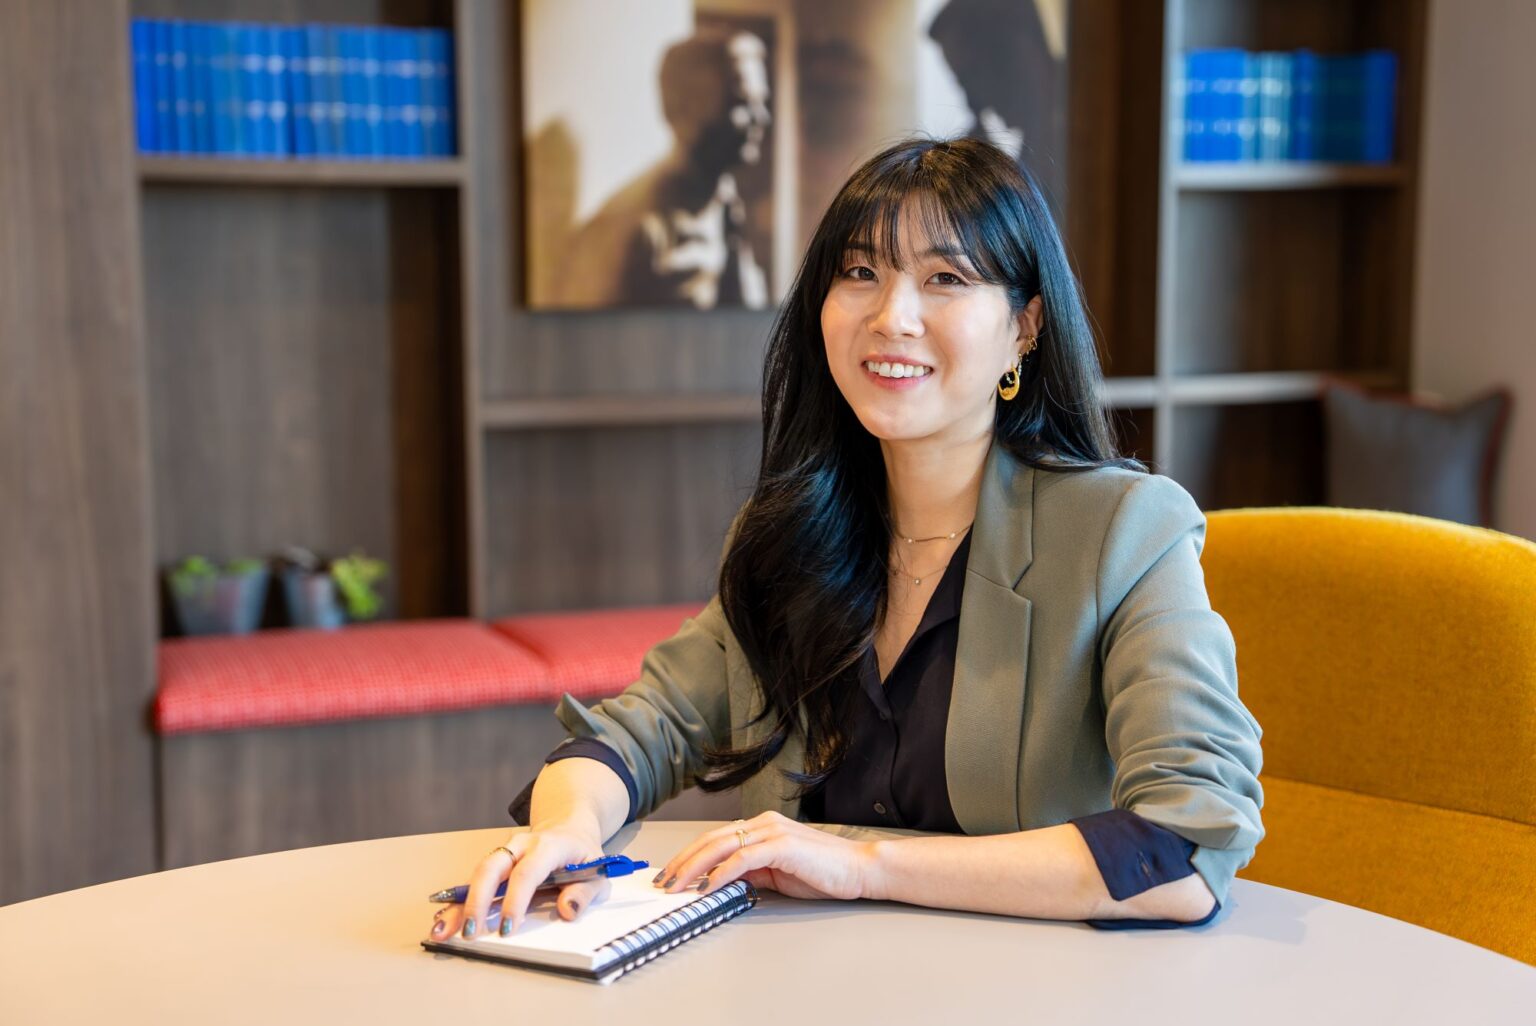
{"x": 313, "y": 677}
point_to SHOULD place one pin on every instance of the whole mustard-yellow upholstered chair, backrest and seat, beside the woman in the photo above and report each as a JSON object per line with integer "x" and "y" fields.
{"x": 1391, "y": 663}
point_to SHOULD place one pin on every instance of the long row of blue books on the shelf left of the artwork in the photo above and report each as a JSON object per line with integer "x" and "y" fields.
{"x": 305, "y": 91}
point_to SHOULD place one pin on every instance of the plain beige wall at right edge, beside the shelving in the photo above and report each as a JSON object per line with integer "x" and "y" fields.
{"x": 1475, "y": 300}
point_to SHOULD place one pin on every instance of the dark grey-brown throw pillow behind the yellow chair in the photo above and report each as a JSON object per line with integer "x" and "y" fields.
{"x": 1409, "y": 455}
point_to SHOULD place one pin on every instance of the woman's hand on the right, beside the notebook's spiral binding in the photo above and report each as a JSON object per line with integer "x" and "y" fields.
{"x": 781, "y": 855}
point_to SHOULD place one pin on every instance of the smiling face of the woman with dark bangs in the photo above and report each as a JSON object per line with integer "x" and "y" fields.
{"x": 919, "y": 352}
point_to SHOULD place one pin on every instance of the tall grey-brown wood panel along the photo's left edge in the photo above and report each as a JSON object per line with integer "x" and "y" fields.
{"x": 78, "y": 623}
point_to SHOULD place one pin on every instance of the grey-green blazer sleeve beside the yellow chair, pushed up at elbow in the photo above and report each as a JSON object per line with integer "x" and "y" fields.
{"x": 1187, "y": 750}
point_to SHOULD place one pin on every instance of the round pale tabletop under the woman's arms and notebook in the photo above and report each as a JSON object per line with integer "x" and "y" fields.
{"x": 333, "y": 936}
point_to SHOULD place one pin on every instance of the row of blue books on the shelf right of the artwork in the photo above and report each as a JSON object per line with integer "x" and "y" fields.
{"x": 1289, "y": 105}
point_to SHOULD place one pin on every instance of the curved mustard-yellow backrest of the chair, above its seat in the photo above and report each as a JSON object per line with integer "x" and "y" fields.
{"x": 1385, "y": 654}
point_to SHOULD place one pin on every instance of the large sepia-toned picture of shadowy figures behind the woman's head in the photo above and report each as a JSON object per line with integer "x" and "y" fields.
{"x": 680, "y": 153}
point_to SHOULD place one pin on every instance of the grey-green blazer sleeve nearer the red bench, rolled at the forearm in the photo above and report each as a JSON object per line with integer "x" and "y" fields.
{"x": 663, "y": 723}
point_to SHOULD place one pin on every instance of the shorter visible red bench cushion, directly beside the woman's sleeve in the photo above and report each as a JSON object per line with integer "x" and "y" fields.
{"x": 598, "y": 654}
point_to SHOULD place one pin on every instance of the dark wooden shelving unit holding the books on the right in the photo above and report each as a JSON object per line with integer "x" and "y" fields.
{"x": 1271, "y": 276}
